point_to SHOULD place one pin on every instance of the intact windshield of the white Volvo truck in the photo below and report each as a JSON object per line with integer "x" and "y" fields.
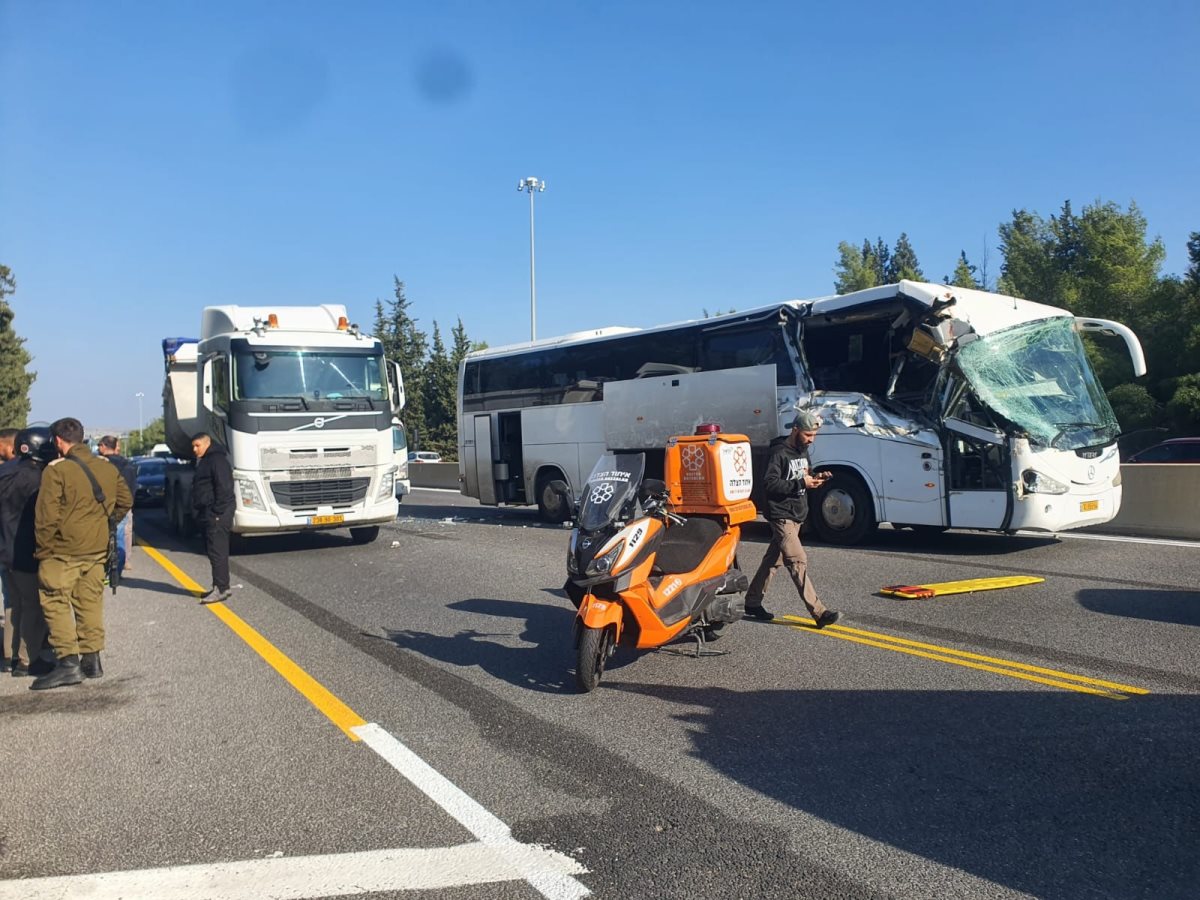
{"x": 311, "y": 375}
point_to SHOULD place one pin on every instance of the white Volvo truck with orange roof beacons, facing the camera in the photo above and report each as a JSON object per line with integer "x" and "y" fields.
{"x": 304, "y": 403}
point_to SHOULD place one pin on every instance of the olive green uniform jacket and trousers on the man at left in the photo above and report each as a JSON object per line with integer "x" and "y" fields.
{"x": 73, "y": 545}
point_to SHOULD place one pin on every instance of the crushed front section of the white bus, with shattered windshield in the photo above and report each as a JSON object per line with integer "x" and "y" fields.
{"x": 947, "y": 407}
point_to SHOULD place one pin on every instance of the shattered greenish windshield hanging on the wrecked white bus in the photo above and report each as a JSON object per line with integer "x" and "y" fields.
{"x": 1037, "y": 376}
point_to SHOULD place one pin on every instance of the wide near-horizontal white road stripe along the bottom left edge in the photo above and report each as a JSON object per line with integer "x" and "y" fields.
{"x": 301, "y": 878}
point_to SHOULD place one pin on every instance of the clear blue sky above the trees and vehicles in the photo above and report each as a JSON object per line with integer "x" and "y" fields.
{"x": 160, "y": 158}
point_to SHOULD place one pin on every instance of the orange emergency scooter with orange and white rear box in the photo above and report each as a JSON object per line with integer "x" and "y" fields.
{"x": 652, "y": 562}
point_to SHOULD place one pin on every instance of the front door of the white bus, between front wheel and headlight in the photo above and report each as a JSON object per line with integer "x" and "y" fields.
{"x": 979, "y": 477}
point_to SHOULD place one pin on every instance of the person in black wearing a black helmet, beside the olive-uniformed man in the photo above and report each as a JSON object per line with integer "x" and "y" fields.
{"x": 20, "y": 484}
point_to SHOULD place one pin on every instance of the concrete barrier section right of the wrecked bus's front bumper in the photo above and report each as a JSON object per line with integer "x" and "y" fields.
{"x": 1159, "y": 501}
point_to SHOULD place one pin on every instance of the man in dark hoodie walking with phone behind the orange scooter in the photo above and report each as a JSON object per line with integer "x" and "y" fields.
{"x": 787, "y": 485}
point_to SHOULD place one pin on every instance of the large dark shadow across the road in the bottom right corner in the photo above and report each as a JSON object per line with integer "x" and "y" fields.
{"x": 1055, "y": 795}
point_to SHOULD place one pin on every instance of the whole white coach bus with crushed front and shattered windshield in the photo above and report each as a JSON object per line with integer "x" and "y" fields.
{"x": 944, "y": 407}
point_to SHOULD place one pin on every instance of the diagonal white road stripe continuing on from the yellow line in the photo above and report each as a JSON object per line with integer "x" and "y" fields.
{"x": 547, "y": 871}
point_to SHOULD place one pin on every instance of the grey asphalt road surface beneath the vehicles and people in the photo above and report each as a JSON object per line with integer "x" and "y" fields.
{"x": 921, "y": 749}
